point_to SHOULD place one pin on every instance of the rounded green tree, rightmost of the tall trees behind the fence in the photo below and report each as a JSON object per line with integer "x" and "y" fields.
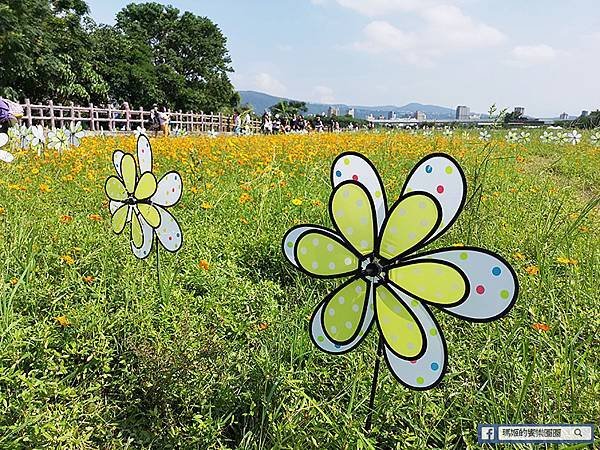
{"x": 189, "y": 55}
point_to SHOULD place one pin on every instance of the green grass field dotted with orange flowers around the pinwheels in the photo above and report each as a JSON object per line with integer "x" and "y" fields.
{"x": 220, "y": 356}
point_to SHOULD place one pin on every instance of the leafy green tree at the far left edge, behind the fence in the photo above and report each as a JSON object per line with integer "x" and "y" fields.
{"x": 44, "y": 47}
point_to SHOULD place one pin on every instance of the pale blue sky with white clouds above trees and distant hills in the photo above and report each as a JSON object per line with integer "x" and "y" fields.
{"x": 544, "y": 55}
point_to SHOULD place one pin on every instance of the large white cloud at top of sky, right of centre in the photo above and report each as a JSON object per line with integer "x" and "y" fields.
{"x": 440, "y": 29}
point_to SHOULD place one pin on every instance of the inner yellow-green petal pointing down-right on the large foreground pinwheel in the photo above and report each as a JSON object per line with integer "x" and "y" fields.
{"x": 401, "y": 331}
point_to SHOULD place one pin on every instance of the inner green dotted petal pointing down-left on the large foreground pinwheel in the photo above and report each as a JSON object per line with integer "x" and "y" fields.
{"x": 343, "y": 313}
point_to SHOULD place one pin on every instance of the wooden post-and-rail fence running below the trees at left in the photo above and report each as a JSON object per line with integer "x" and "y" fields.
{"x": 125, "y": 119}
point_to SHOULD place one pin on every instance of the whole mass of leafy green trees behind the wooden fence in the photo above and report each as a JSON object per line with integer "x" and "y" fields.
{"x": 51, "y": 49}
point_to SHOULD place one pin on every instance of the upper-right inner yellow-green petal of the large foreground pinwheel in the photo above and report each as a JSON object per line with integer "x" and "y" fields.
{"x": 411, "y": 220}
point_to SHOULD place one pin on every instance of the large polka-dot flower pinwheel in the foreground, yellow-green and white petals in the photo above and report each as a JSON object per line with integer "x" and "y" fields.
{"x": 388, "y": 284}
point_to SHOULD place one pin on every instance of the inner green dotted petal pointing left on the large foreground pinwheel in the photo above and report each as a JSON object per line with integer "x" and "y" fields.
{"x": 323, "y": 256}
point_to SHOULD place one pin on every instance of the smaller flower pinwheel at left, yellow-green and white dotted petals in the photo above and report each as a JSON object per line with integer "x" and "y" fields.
{"x": 135, "y": 196}
